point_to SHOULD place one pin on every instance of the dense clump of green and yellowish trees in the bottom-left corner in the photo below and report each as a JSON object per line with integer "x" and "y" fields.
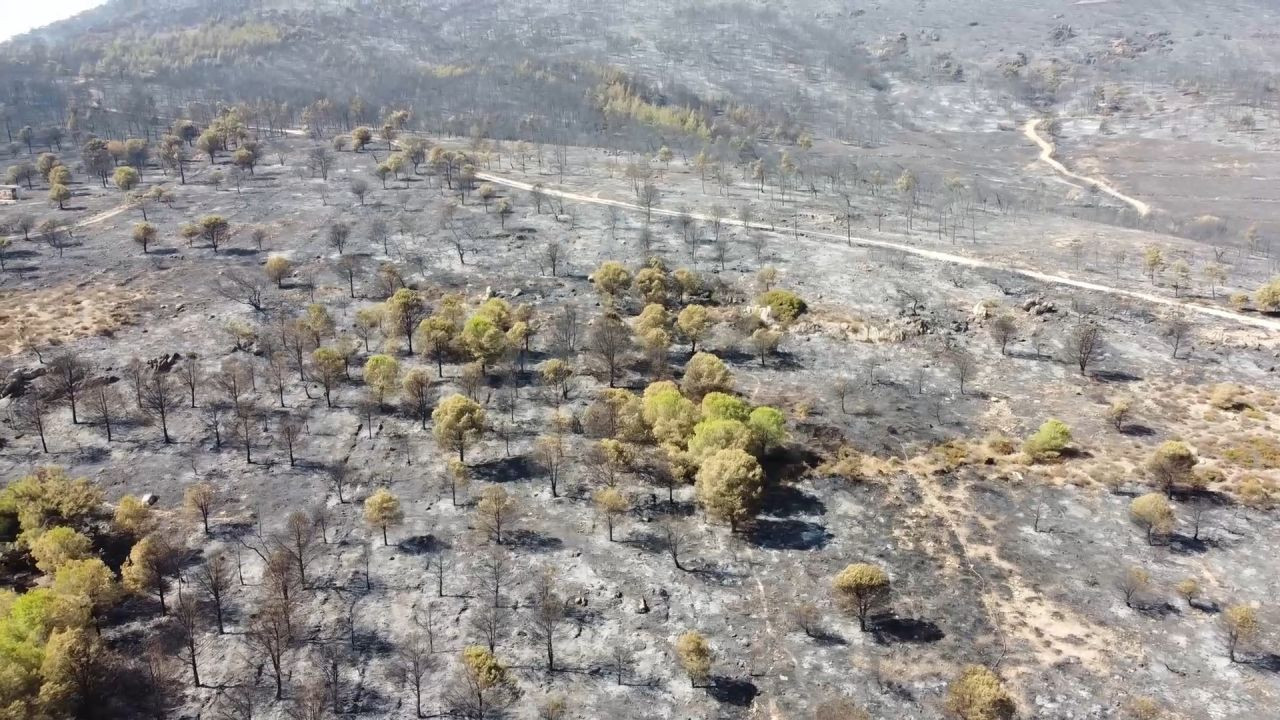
{"x": 56, "y": 662}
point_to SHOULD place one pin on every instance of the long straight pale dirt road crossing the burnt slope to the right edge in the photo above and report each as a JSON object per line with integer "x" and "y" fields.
{"x": 1208, "y": 311}
